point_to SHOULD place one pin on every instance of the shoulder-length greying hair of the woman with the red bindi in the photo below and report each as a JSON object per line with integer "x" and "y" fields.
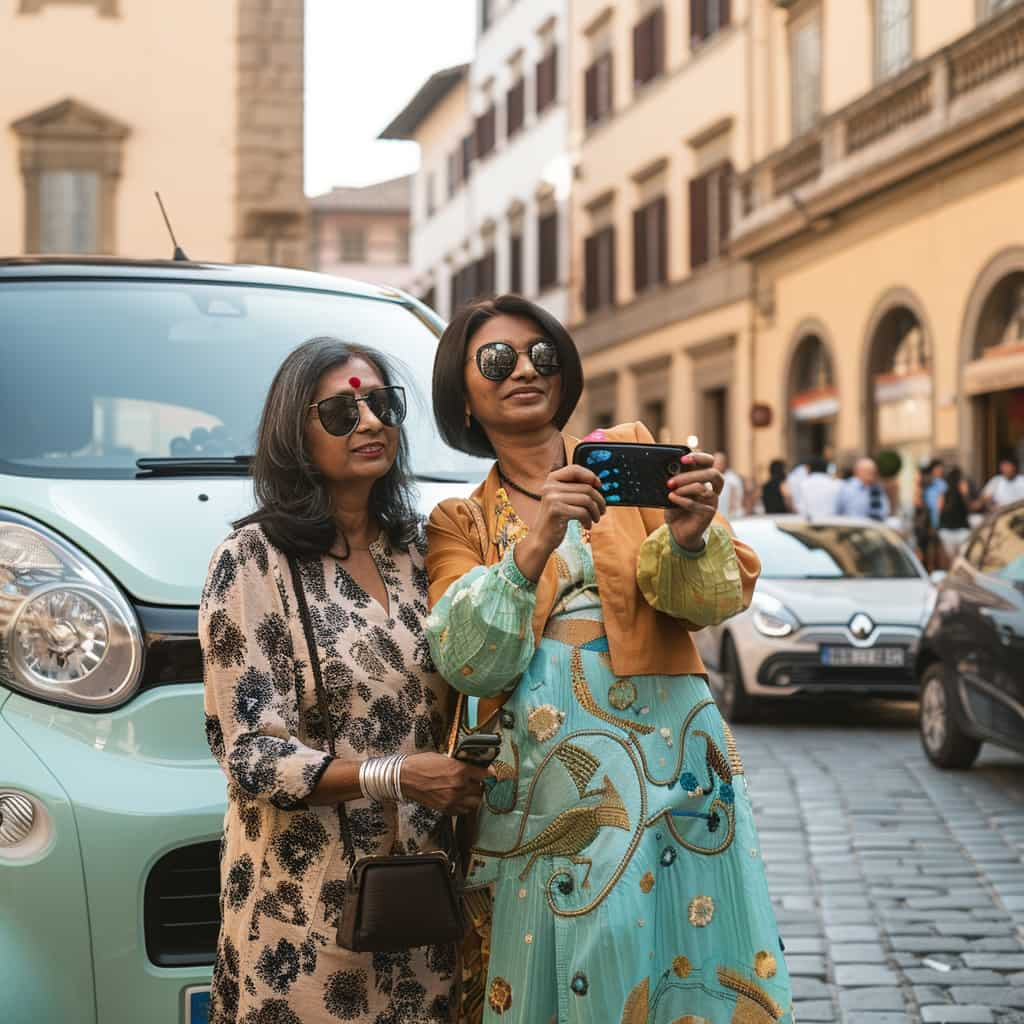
{"x": 293, "y": 502}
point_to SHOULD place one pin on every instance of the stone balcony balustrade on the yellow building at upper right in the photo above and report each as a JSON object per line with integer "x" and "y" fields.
{"x": 860, "y": 148}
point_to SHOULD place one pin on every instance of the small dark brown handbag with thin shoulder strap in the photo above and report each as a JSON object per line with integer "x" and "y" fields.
{"x": 392, "y": 903}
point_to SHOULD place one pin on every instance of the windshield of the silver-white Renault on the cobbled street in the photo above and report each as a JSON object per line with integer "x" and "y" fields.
{"x": 814, "y": 551}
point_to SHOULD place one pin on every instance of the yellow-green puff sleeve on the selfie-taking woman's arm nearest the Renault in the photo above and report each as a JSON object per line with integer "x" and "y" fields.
{"x": 704, "y": 589}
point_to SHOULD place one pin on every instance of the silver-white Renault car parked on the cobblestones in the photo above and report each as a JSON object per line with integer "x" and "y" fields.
{"x": 839, "y": 609}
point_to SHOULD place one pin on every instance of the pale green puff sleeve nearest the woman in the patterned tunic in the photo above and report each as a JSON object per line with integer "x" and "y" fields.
{"x": 481, "y": 631}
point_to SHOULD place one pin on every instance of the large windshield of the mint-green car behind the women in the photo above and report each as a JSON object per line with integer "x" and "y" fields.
{"x": 100, "y": 374}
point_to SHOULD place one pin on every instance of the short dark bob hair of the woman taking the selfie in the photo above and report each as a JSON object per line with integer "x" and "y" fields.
{"x": 450, "y": 379}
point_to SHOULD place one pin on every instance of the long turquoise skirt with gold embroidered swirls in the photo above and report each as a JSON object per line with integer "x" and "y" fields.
{"x": 617, "y": 875}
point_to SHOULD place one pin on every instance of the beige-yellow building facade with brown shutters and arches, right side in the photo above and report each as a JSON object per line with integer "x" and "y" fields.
{"x": 861, "y": 286}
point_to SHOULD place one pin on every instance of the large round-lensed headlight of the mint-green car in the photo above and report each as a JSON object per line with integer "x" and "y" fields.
{"x": 67, "y": 633}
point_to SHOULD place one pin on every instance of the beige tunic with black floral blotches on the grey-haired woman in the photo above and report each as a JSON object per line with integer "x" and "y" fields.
{"x": 283, "y": 866}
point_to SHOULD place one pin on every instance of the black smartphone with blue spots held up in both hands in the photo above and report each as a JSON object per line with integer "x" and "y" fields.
{"x": 632, "y": 476}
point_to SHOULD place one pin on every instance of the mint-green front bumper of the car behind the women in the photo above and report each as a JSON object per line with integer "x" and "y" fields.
{"x": 123, "y": 791}
